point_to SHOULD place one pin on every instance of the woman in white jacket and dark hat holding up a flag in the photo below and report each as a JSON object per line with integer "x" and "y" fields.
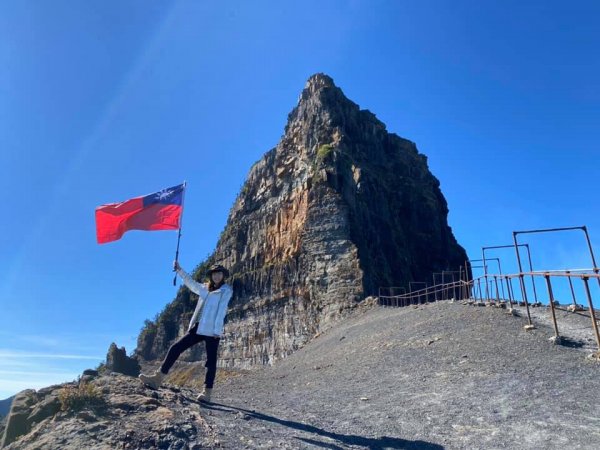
{"x": 206, "y": 325}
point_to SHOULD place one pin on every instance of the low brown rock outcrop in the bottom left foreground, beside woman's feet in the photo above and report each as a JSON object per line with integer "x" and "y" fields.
{"x": 110, "y": 411}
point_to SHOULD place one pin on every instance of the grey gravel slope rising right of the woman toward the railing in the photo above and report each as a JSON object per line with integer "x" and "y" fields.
{"x": 442, "y": 375}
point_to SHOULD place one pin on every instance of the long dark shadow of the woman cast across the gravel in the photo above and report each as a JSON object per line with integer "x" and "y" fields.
{"x": 383, "y": 442}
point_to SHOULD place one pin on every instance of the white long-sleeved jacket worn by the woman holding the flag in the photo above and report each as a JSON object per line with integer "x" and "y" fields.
{"x": 211, "y": 307}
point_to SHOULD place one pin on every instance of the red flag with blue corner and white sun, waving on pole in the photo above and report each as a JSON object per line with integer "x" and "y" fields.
{"x": 159, "y": 211}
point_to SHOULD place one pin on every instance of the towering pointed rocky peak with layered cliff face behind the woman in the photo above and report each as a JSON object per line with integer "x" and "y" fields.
{"x": 337, "y": 209}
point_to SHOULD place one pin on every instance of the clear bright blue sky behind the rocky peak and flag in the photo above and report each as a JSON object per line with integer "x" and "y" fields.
{"x": 101, "y": 101}
